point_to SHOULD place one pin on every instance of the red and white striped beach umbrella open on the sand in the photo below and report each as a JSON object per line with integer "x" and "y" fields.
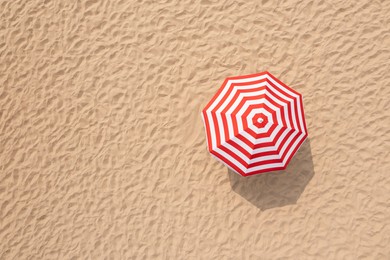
{"x": 255, "y": 123}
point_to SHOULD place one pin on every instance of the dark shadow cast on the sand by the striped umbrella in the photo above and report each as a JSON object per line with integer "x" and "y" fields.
{"x": 278, "y": 188}
